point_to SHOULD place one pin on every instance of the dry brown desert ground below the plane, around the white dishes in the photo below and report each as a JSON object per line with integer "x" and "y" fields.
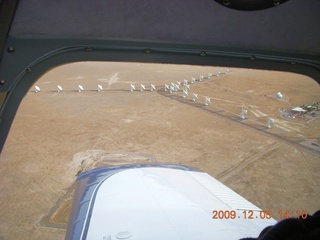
{"x": 55, "y": 136}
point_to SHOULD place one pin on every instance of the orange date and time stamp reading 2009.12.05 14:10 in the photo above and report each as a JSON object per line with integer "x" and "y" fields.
{"x": 262, "y": 214}
